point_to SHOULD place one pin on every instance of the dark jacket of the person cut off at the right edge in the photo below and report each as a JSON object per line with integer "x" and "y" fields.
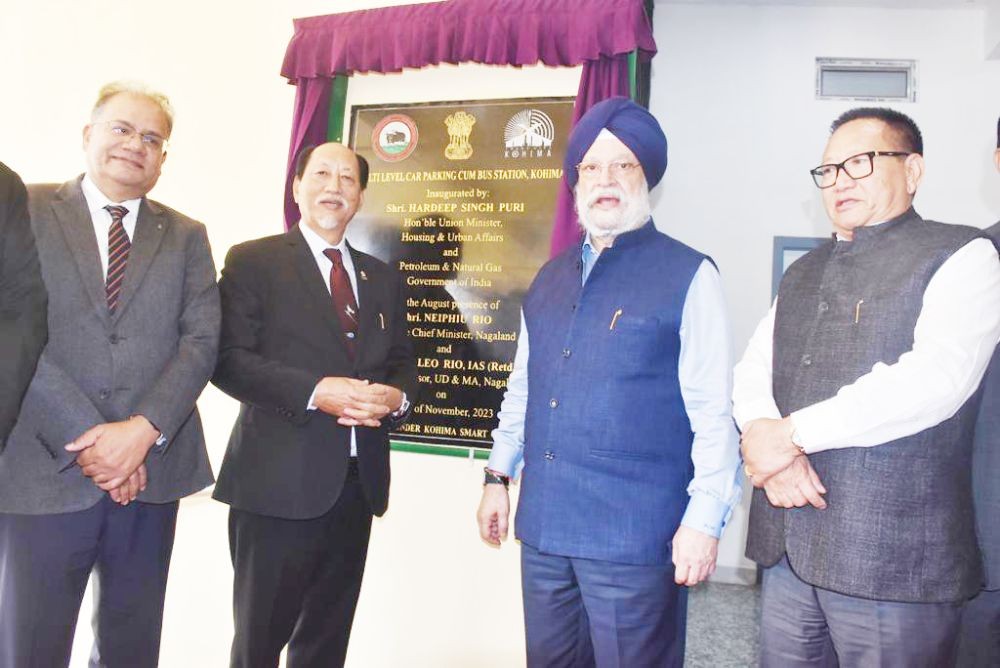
{"x": 986, "y": 465}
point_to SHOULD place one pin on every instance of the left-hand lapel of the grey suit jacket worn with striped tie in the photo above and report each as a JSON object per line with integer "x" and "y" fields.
{"x": 73, "y": 216}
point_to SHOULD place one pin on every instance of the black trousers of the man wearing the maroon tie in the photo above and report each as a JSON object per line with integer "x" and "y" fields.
{"x": 297, "y": 582}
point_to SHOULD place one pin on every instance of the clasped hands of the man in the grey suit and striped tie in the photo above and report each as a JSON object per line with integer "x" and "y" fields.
{"x": 112, "y": 455}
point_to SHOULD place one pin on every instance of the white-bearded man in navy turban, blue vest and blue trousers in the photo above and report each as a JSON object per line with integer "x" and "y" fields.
{"x": 619, "y": 418}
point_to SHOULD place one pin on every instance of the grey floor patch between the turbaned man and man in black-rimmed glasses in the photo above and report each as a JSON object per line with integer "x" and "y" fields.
{"x": 723, "y": 622}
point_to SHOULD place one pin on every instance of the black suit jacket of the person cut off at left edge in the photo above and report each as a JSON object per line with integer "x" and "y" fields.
{"x": 22, "y": 300}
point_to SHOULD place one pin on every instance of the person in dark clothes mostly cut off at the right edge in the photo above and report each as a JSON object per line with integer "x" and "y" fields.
{"x": 979, "y": 646}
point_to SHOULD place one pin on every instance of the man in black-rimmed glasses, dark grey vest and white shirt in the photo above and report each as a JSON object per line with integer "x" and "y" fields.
{"x": 857, "y": 400}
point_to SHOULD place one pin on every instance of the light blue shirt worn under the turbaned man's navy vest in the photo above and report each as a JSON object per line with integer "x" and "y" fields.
{"x": 705, "y": 373}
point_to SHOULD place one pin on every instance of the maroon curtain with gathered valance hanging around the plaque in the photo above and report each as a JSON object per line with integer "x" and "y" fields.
{"x": 595, "y": 33}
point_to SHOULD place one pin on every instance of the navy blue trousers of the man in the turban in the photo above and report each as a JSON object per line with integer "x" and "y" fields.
{"x": 580, "y": 613}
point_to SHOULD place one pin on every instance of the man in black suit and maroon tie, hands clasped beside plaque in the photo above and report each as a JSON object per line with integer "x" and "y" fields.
{"x": 314, "y": 344}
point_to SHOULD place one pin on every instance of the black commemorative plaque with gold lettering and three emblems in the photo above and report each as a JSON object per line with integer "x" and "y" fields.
{"x": 460, "y": 199}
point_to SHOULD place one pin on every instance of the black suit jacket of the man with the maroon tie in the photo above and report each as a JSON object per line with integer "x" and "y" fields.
{"x": 280, "y": 336}
